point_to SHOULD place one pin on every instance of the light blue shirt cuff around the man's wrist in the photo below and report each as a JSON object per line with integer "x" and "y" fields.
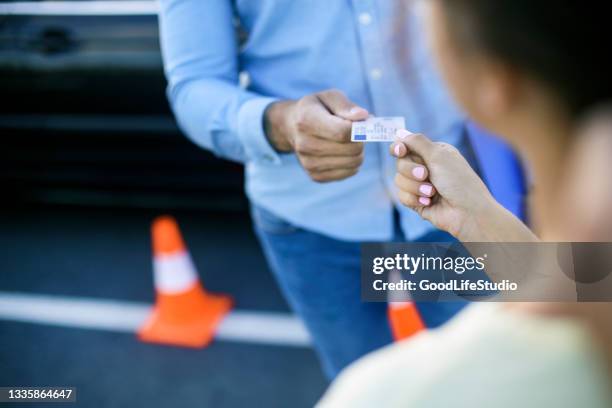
{"x": 251, "y": 131}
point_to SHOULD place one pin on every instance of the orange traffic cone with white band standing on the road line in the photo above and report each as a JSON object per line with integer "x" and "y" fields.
{"x": 184, "y": 313}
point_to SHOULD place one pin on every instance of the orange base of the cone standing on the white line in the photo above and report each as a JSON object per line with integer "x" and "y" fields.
{"x": 197, "y": 332}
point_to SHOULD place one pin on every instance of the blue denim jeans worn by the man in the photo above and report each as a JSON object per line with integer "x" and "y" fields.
{"x": 320, "y": 278}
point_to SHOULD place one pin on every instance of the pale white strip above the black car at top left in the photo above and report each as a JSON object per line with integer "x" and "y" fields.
{"x": 80, "y": 8}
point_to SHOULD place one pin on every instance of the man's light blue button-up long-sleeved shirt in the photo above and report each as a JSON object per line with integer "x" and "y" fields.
{"x": 295, "y": 48}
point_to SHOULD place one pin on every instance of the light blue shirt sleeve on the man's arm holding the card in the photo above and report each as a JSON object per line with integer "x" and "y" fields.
{"x": 200, "y": 52}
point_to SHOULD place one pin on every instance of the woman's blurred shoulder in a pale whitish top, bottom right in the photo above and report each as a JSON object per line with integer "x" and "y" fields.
{"x": 489, "y": 355}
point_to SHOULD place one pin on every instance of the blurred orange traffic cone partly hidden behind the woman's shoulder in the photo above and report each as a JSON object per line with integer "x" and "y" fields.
{"x": 402, "y": 312}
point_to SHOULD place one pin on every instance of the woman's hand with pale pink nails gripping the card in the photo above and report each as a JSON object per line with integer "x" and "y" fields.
{"x": 436, "y": 181}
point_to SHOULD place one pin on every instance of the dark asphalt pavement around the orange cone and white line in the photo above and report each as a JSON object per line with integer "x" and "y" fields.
{"x": 105, "y": 254}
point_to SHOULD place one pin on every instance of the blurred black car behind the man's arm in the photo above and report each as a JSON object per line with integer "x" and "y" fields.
{"x": 84, "y": 117}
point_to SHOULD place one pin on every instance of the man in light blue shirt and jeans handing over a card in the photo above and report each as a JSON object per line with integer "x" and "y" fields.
{"x": 313, "y": 67}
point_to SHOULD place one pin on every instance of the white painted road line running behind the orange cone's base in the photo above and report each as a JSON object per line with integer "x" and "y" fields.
{"x": 271, "y": 328}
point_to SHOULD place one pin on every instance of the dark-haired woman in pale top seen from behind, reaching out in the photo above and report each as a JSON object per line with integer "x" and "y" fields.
{"x": 528, "y": 70}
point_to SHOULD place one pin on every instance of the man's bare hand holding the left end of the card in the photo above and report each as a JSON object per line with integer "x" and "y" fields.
{"x": 318, "y": 129}
